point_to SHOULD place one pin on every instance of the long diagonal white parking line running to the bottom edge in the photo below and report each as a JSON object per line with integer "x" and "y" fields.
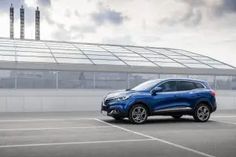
{"x": 158, "y": 139}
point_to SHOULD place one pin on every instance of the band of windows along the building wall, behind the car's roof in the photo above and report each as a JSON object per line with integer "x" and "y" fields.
{"x": 43, "y": 79}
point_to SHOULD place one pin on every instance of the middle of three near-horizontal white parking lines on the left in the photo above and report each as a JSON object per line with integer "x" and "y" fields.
{"x": 58, "y": 128}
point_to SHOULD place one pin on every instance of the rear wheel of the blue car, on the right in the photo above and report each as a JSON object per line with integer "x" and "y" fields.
{"x": 202, "y": 113}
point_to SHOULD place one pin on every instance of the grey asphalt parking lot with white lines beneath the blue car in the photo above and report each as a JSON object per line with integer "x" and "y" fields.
{"x": 88, "y": 134}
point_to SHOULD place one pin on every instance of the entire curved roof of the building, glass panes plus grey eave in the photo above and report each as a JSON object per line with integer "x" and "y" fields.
{"x": 31, "y": 54}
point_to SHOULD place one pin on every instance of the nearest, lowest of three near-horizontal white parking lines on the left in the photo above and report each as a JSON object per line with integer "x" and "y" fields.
{"x": 73, "y": 143}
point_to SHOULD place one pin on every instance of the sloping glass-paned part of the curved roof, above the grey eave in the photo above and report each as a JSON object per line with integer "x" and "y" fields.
{"x": 101, "y": 54}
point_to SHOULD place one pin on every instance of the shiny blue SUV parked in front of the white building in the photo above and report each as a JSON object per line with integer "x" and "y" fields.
{"x": 173, "y": 97}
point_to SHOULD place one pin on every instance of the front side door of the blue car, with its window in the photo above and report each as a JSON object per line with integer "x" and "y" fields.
{"x": 166, "y": 98}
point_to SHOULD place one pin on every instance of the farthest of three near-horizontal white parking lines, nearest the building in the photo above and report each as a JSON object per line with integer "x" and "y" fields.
{"x": 35, "y": 120}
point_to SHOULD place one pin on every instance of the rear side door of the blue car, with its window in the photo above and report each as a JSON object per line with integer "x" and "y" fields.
{"x": 186, "y": 94}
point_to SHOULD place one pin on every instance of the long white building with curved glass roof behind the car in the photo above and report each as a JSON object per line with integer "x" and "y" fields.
{"x": 68, "y": 76}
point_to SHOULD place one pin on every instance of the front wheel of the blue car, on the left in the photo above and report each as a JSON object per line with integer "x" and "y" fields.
{"x": 138, "y": 114}
